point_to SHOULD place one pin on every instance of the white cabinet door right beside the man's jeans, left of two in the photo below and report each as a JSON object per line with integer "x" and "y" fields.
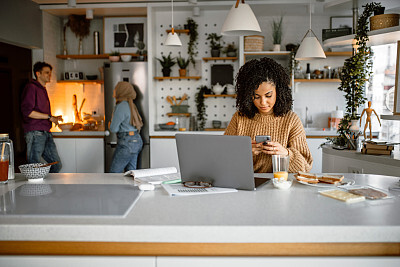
{"x": 66, "y": 151}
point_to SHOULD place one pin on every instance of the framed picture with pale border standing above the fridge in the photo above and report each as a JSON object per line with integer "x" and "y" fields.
{"x": 124, "y": 33}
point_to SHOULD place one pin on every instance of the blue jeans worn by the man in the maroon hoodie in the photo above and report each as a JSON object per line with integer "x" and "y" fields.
{"x": 41, "y": 144}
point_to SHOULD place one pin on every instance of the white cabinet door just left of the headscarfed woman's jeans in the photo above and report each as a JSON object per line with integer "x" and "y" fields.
{"x": 89, "y": 155}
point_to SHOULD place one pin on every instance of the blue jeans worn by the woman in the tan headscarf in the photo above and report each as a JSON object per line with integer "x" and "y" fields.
{"x": 126, "y": 153}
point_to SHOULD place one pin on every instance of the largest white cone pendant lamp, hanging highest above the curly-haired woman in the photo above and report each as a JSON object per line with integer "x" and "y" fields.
{"x": 240, "y": 21}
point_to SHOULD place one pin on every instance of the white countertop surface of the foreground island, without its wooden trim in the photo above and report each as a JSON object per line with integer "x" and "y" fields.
{"x": 268, "y": 215}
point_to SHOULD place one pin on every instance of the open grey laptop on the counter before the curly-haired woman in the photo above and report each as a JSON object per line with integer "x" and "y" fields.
{"x": 223, "y": 160}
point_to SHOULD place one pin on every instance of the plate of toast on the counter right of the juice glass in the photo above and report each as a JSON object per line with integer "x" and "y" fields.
{"x": 322, "y": 180}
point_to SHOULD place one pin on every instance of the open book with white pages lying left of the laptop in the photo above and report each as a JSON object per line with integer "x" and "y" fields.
{"x": 154, "y": 176}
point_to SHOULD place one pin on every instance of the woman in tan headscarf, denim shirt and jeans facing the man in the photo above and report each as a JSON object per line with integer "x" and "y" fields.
{"x": 126, "y": 122}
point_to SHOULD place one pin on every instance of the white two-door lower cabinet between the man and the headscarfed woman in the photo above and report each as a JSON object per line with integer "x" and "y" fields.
{"x": 81, "y": 155}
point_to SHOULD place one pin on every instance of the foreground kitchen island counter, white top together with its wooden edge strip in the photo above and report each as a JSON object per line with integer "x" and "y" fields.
{"x": 298, "y": 221}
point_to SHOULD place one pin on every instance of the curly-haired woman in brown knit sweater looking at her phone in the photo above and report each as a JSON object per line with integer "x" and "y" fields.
{"x": 264, "y": 107}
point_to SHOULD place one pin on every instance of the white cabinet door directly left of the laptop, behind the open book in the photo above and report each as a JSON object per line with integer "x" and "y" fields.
{"x": 163, "y": 153}
